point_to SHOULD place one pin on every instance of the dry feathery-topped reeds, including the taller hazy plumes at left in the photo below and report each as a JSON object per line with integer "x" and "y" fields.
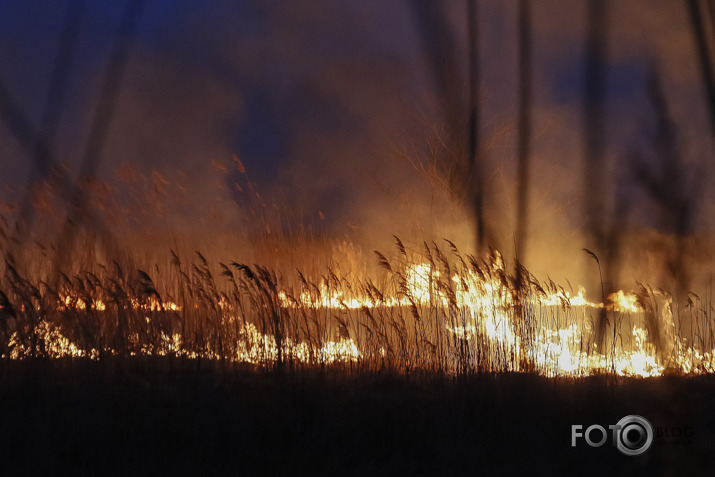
{"x": 260, "y": 306}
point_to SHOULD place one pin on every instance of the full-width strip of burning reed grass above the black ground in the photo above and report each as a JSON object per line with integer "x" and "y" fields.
{"x": 428, "y": 309}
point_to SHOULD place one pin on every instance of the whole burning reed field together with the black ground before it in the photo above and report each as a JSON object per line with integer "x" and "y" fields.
{"x": 432, "y": 362}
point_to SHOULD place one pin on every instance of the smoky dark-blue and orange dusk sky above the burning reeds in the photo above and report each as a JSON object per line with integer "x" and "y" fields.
{"x": 331, "y": 109}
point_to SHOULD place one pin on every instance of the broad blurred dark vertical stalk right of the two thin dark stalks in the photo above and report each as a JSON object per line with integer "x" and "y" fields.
{"x": 593, "y": 134}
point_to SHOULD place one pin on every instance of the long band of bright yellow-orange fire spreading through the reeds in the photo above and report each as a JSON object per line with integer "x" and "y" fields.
{"x": 427, "y": 313}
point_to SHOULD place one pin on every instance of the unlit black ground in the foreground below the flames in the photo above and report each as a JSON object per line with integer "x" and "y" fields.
{"x": 166, "y": 417}
